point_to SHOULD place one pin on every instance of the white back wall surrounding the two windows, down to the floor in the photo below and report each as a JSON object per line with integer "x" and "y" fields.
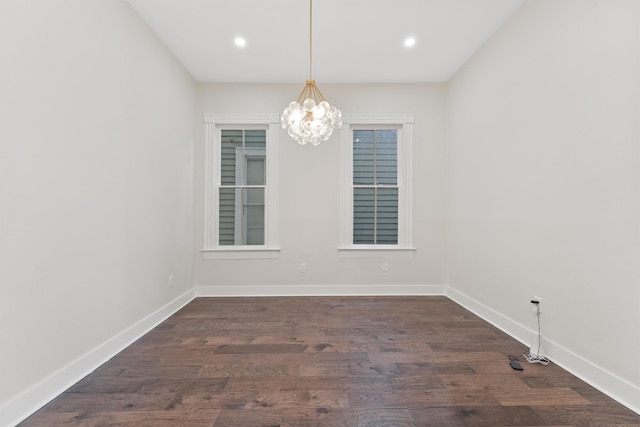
{"x": 309, "y": 197}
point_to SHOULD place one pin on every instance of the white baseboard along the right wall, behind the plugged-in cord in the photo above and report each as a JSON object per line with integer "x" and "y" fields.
{"x": 608, "y": 383}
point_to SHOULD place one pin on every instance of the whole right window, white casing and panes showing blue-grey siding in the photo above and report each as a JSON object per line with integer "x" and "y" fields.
{"x": 376, "y": 205}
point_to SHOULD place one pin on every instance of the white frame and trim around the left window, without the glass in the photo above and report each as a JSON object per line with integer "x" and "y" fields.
{"x": 214, "y": 123}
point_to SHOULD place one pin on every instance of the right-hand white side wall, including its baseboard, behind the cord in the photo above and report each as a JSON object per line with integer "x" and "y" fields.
{"x": 544, "y": 184}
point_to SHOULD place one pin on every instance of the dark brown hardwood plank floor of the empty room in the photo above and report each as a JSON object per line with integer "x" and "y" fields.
{"x": 328, "y": 361}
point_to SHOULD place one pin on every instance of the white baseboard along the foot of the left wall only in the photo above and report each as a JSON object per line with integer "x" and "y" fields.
{"x": 26, "y": 403}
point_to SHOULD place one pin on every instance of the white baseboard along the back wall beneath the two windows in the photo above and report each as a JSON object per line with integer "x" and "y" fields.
{"x": 318, "y": 290}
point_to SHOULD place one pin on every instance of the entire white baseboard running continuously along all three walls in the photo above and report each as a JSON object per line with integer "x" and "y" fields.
{"x": 29, "y": 401}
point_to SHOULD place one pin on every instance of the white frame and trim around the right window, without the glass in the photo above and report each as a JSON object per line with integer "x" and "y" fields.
{"x": 404, "y": 123}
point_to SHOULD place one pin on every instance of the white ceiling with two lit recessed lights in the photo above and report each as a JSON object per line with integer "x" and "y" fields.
{"x": 354, "y": 41}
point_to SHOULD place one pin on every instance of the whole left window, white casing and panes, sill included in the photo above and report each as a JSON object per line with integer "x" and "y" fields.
{"x": 240, "y": 187}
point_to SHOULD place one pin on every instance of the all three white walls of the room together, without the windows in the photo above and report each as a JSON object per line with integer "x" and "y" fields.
{"x": 96, "y": 164}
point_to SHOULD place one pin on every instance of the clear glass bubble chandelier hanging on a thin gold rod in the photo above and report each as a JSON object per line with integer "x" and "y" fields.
{"x": 310, "y": 119}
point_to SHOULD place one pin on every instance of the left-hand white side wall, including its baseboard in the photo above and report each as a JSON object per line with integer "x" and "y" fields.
{"x": 96, "y": 167}
